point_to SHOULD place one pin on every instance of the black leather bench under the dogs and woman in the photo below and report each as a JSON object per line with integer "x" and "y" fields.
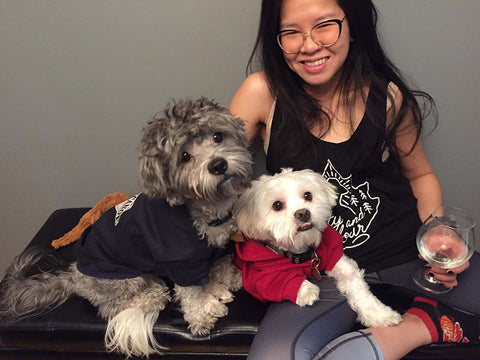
{"x": 73, "y": 330}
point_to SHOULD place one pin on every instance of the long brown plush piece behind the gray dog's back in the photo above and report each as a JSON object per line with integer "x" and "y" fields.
{"x": 89, "y": 218}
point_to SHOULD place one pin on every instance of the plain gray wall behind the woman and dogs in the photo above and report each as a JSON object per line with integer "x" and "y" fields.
{"x": 79, "y": 79}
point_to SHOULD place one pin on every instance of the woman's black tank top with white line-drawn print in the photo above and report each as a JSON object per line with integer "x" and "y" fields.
{"x": 376, "y": 211}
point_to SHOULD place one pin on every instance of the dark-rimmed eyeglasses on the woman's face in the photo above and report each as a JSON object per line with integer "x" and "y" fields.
{"x": 324, "y": 34}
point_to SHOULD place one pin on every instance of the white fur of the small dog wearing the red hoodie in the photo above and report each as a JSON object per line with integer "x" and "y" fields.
{"x": 281, "y": 229}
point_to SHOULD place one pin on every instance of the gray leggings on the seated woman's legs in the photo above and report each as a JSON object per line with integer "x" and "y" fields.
{"x": 290, "y": 332}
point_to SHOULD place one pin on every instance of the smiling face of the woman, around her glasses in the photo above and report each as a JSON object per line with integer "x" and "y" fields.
{"x": 318, "y": 66}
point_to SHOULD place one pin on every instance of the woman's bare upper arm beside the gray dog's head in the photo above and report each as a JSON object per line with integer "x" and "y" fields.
{"x": 252, "y": 103}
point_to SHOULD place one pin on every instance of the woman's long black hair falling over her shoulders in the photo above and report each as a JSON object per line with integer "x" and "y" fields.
{"x": 365, "y": 64}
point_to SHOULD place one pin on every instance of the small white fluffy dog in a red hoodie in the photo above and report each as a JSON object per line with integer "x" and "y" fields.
{"x": 288, "y": 240}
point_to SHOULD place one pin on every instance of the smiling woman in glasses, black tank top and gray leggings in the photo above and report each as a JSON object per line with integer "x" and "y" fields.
{"x": 329, "y": 99}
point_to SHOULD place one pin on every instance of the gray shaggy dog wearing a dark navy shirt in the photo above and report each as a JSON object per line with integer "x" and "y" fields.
{"x": 193, "y": 154}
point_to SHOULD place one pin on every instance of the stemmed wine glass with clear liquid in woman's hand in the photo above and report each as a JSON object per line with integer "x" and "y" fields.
{"x": 447, "y": 240}
